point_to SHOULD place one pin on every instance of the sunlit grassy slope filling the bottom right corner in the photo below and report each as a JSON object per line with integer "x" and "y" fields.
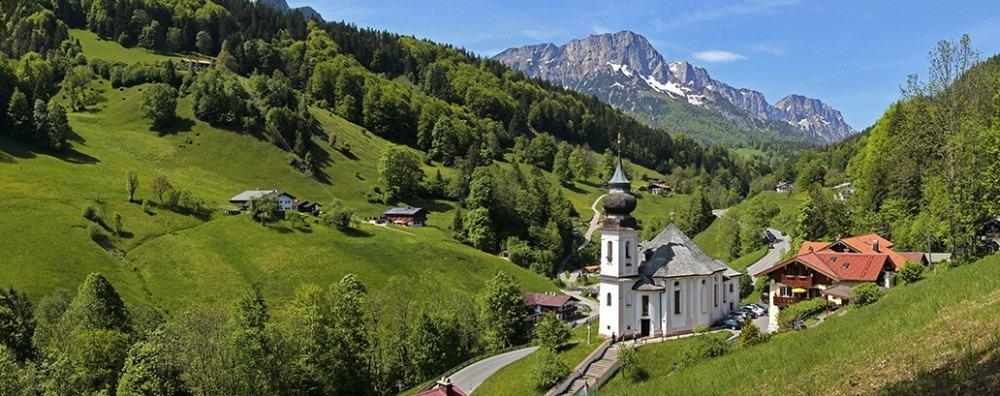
{"x": 939, "y": 336}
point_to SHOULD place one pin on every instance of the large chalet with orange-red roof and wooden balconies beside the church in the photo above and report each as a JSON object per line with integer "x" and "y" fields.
{"x": 831, "y": 270}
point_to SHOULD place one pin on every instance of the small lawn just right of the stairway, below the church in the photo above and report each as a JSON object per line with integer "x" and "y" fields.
{"x": 658, "y": 360}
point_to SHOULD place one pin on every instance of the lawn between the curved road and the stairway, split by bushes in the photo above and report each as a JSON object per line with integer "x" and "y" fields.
{"x": 514, "y": 379}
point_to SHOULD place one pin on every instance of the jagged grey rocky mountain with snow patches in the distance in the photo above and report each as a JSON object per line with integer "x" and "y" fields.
{"x": 624, "y": 70}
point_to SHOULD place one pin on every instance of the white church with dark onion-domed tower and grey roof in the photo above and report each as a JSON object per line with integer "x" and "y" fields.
{"x": 664, "y": 286}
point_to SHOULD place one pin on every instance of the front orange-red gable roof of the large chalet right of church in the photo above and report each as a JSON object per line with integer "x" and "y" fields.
{"x": 859, "y": 267}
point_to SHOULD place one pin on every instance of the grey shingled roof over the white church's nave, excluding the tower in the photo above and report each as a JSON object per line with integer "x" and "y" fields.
{"x": 672, "y": 254}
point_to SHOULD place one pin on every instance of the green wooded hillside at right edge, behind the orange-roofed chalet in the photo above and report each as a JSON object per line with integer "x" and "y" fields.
{"x": 926, "y": 174}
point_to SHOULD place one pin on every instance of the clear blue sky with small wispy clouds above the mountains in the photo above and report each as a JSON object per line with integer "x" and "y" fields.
{"x": 852, "y": 54}
